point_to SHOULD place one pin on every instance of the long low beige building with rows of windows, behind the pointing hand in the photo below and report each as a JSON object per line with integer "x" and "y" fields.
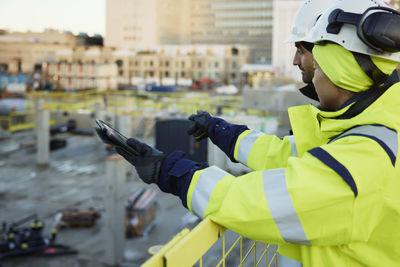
{"x": 180, "y": 65}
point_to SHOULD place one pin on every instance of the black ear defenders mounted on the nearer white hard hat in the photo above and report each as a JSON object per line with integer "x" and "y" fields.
{"x": 377, "y": 27}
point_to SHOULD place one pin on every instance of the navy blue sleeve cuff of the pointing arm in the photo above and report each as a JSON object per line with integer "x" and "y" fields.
{"x": 224, "y": 135}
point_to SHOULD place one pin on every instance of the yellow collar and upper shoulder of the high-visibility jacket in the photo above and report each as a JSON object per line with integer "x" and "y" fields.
{"x": 314, "y": 127}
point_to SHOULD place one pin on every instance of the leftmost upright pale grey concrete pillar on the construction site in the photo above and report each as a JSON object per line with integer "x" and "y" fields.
{"x": 42, "y": 131}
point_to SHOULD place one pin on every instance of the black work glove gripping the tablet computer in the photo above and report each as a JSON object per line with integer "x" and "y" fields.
{"x": 147, "y": 163}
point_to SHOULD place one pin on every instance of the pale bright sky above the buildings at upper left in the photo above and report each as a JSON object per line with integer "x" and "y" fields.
{"x": 36, "y": 15}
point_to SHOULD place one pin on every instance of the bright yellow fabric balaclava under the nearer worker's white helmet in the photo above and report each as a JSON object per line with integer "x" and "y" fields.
{"x": 343, "y": 70}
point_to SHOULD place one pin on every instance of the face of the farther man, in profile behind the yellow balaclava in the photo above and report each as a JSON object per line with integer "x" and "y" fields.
{"x": 304, "y": 60}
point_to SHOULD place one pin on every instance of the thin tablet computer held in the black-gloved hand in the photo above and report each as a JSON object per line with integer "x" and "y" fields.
{"x": 112, "y": 137}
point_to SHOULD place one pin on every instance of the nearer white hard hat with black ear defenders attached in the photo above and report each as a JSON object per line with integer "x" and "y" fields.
{"x": 370, "y": 27}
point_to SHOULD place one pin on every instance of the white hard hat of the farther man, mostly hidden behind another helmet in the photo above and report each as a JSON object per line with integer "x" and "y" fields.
{"x": 306, "y": 17}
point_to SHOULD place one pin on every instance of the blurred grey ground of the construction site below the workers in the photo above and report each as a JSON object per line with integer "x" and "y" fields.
{"x": 75, "y": 179}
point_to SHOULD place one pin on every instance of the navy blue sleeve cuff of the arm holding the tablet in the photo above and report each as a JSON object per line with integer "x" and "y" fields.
{"x": 176, "y": 174}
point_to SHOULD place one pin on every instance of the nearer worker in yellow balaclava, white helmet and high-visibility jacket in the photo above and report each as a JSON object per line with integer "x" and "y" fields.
{"x": 331, "y": 192}
